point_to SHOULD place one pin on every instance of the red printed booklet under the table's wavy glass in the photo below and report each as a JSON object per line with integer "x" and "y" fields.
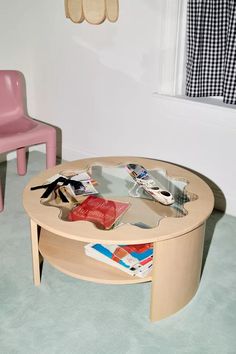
{"x": 102, "y": 212}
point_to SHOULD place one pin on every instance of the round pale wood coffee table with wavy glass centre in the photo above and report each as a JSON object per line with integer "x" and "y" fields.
{"x": 178, "y": 237}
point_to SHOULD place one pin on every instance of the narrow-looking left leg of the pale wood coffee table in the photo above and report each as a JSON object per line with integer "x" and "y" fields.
{"x": 36, "y": 256}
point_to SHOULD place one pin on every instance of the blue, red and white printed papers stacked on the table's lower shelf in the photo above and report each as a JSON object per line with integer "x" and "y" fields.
{"x": 135, "y": 260}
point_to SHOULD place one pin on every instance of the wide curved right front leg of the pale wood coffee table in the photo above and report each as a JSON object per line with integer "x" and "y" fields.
{"x": 176, "y": 272}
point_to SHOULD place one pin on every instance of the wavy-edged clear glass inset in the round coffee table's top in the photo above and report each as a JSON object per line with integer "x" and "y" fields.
{"x": 115, "y": 184}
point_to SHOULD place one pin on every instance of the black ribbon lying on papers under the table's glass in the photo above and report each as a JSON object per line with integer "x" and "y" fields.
{"x": 61, "y": 181}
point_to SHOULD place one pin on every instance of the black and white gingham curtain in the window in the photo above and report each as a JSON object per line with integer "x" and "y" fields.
{"x": 211, "y": 49}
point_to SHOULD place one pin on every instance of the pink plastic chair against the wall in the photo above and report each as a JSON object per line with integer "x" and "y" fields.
{"x": 17, "y": 130}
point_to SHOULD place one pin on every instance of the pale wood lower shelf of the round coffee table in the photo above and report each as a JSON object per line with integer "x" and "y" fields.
{"x": 69, "y": 257}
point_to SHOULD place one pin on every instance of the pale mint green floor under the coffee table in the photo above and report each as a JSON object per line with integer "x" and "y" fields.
{"x": 67, "y": 316}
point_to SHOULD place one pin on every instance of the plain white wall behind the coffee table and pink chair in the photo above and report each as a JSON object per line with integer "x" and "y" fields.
{"x": 97, "y": 84}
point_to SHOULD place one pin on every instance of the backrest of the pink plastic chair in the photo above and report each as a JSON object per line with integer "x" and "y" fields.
{"x": 12, "y": 92}
